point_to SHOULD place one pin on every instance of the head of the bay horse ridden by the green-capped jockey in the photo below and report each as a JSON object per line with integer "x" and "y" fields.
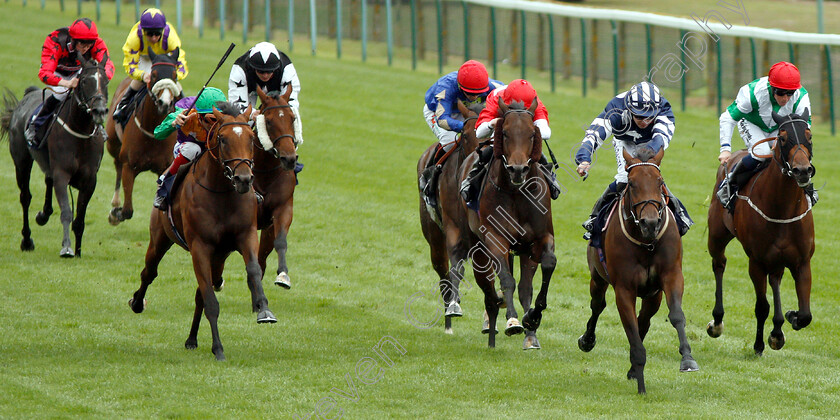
{"x": 233, "y": 142}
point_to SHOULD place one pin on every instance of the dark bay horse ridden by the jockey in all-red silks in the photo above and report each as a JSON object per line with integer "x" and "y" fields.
{"x": 514, "y": 217}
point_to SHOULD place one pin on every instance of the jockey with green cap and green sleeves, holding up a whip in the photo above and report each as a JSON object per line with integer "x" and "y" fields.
{"x": 190, "y": 140}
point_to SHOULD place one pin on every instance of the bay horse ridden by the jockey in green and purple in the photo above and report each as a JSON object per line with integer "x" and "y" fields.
{"x": 213, "y": 214}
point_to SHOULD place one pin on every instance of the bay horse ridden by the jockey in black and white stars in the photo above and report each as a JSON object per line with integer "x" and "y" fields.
{"x": 274, "y": 178}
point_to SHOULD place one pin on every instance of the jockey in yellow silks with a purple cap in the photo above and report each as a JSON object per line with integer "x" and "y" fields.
{"x": 152, "y": 31}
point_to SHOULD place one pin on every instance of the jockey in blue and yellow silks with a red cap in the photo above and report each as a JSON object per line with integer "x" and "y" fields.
{"x": 470, "y": 85}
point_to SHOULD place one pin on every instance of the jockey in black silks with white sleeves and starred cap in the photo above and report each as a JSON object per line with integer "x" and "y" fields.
{"x": 272, "y": 70}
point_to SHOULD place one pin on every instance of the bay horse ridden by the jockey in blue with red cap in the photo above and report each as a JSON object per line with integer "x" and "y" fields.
{"x": 446, "y": 232}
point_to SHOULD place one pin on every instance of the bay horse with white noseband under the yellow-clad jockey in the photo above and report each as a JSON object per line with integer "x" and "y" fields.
{"x": 134, "y": 147}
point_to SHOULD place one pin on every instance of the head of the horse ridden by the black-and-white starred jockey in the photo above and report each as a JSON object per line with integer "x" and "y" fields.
{"x": 276, "y": 127}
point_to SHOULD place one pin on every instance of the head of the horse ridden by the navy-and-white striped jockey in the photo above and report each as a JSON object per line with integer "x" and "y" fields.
{"x": 644, "y": 193}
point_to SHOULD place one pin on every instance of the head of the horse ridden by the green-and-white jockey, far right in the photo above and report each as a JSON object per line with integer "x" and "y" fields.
{"x": 794, "y": 149}
